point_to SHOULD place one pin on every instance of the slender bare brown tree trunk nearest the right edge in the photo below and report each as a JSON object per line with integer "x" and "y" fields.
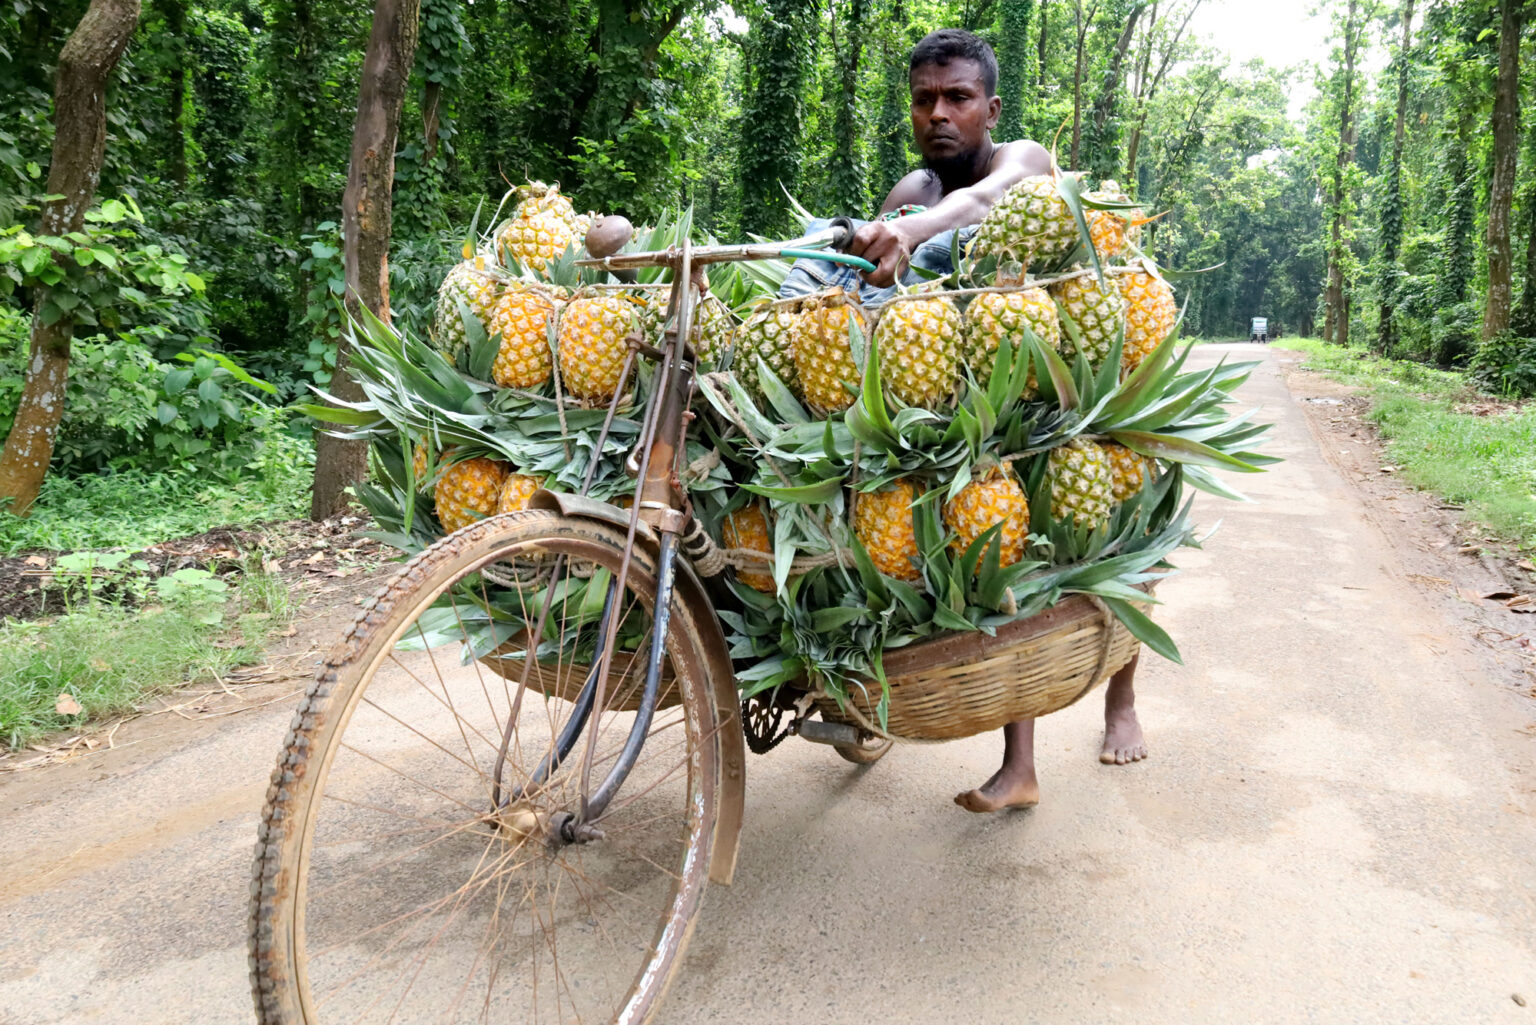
{"x": 1501, "y": 188}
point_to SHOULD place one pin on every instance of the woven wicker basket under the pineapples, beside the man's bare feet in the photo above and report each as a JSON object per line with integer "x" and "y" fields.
{"x": 964, "y": 685}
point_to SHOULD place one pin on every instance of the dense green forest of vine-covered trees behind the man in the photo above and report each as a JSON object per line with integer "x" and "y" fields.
{"x": 1397, "y": 213}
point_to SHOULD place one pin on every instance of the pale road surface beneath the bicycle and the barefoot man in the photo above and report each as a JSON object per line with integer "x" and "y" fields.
{"x": 1337, "y": 824}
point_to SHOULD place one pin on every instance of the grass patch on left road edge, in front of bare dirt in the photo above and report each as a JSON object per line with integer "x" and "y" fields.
{"x": 104, "y": 658}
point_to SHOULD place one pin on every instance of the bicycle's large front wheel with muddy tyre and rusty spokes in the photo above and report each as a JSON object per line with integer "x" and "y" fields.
{"x": 411, "y": 863}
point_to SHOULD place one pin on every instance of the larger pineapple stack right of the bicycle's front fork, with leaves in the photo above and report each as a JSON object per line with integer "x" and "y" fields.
{"x": 973, "y": 449}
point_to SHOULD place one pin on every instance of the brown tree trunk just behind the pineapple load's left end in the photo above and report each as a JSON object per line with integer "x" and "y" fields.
{"x": 366, "y": 214}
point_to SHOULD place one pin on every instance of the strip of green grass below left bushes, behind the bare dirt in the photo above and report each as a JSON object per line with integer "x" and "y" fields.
{"x": 136, "y": 509}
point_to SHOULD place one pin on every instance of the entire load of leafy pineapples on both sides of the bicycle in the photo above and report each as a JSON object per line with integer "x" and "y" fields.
{"x": 968, "y": 453}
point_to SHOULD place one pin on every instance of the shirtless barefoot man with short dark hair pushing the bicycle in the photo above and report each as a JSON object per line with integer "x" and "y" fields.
{"x": 953, "y": 76}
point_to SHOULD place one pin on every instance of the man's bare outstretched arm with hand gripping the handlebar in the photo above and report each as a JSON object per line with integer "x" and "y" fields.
{"x": 892, "y": 244}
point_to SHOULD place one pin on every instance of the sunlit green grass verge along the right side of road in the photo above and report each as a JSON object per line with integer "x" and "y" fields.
{"x": 1485, "y": 463}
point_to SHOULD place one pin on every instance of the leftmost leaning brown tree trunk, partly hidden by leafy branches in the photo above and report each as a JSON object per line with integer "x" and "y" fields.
{"x": 85, "y": 67}
